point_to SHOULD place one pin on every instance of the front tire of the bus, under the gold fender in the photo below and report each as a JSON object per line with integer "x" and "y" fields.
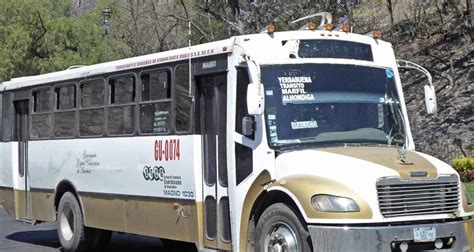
{"x": 280, "y": 229}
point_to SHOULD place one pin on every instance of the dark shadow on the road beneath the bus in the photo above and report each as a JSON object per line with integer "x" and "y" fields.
{"x": 119, "y": 243}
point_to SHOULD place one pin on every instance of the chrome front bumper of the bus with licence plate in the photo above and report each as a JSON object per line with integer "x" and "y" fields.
{"x": 384, "y": 238}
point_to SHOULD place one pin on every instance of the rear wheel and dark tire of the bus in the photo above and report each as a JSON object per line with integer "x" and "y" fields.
{"x": 73, "y": 235}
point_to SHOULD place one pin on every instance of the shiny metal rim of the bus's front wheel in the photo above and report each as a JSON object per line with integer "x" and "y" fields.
{"x": 281, "y": 238}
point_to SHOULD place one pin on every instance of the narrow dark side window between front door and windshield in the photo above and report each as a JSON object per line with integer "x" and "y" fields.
{"x": 241, "y": 100}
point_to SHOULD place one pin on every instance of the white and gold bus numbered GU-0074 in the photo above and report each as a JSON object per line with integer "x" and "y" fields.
{"x": 277, "y": 141}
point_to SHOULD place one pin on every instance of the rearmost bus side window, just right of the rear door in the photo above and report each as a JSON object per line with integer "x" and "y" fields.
{"x": 41, "y": 116}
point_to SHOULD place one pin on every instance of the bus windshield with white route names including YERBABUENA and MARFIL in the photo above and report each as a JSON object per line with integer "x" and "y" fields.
{"x": 318, "y": 104}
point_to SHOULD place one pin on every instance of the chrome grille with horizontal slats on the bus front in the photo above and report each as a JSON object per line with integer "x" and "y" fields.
{"x": 404, "y": 198}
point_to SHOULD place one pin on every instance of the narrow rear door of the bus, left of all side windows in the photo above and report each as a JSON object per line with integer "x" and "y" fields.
{"x": 22, "y": 197}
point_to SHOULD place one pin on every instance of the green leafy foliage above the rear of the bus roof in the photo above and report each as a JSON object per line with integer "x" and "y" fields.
{"x": 43, "y": 36}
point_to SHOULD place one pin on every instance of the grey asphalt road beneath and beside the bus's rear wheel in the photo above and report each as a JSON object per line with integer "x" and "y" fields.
{"x": 22, "y": 237}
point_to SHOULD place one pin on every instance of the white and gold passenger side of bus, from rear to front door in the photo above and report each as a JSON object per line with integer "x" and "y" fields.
{"x": 121, "y": 150}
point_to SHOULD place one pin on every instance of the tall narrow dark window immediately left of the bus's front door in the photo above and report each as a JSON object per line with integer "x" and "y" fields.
{"x": 183, "y": 98}
